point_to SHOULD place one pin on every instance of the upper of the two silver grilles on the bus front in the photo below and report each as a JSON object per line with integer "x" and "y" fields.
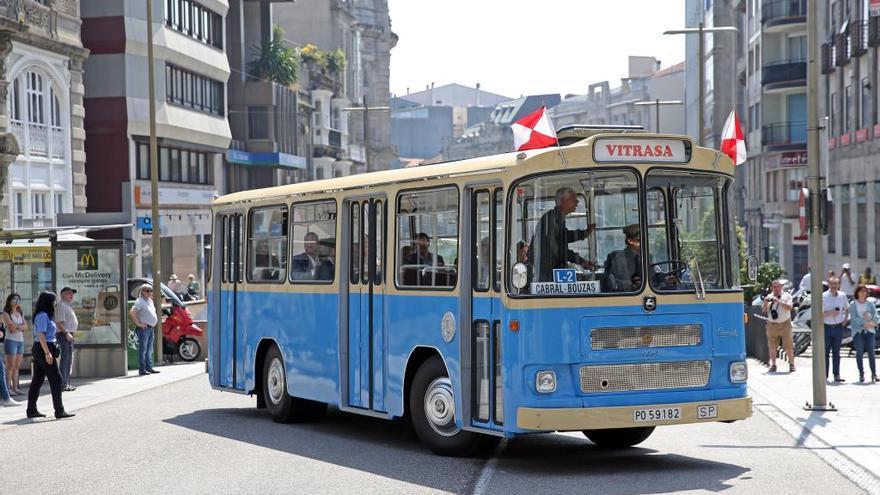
{"x": 649, "y": 336}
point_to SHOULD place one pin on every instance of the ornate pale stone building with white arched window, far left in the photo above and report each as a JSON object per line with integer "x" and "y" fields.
{"x": 42, "y": 154}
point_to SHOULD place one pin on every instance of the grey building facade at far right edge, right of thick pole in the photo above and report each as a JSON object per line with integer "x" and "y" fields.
{"x": 850, "y": 73}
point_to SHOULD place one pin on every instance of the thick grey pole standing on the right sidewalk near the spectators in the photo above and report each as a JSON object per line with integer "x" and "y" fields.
{"x": 814, "y": 183}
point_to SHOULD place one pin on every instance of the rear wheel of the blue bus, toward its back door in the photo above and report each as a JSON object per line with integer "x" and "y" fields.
{"x": 283, "y": 407}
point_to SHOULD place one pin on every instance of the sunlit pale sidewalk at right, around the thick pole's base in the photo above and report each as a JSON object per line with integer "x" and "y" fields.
{"x": 853, "y": 430}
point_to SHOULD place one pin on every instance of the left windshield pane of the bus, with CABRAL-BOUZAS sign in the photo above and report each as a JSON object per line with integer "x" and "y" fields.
{"x": 577, "y": 233}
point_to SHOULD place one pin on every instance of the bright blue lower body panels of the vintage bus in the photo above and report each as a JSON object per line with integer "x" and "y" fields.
{"x": 306, "y": 327}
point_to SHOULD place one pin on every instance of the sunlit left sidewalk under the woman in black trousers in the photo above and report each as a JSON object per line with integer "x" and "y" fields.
{"x": 92, "y": 391}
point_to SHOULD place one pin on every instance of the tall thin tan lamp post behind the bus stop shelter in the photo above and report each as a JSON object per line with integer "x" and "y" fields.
{"x": 154, "y": 185}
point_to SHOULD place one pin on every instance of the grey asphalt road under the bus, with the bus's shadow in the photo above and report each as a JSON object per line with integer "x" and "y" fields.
{"x": 186, "y": 438}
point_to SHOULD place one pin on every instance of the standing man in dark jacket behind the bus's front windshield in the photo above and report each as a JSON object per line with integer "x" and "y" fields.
{"x": 549, "y": 245}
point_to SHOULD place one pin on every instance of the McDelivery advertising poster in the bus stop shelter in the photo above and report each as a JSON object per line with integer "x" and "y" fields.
{"x": 95, "y": 272}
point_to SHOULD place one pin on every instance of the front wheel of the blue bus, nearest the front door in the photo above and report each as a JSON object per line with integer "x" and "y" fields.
{"x": 435, "y": 427}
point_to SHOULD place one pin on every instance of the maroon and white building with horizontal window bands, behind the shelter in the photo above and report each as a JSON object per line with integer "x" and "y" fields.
{"x": 190, "y": 75}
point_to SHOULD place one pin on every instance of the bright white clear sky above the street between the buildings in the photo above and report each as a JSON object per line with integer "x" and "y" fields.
{"x": 520, "y": 47}
